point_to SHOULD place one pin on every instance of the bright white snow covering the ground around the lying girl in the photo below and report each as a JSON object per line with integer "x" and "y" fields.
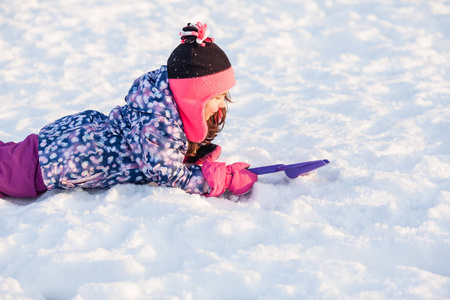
{"x": 365, "y": 84}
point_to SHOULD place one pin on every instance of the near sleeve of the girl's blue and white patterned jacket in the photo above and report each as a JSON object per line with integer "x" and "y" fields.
{"x": 158, "y": 147}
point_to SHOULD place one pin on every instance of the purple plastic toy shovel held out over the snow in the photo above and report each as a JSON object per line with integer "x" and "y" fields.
{"x": 291, "y": 171}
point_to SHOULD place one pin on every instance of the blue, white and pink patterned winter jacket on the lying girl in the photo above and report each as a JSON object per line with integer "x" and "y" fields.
{"x": 141, "y": 142}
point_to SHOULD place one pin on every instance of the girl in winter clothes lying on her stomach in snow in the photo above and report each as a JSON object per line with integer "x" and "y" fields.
{"x": 161, "y": 136}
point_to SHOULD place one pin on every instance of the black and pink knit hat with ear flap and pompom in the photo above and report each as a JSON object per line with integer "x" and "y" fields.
{"x": 198, "y": 71}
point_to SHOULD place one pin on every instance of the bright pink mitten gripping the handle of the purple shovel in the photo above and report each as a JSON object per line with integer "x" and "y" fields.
{"x": 236, "y": 178}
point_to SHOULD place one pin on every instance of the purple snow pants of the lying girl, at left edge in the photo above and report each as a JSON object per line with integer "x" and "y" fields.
{"x": 20, "y": 174}
